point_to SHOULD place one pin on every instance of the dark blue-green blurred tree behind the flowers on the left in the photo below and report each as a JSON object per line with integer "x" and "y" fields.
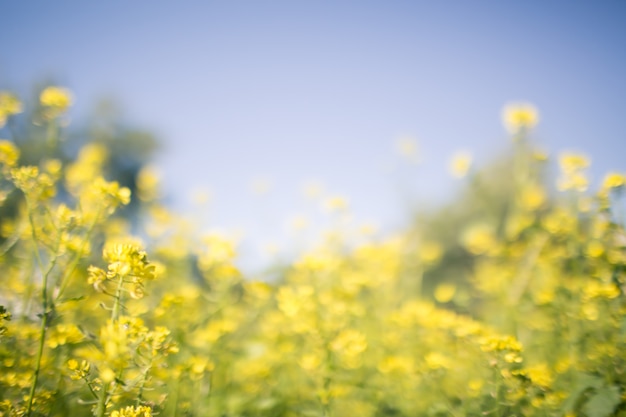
{"x": 42, "y": 131}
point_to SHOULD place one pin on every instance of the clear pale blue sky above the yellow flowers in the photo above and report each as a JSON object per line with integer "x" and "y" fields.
{"x": 283, "y": 93}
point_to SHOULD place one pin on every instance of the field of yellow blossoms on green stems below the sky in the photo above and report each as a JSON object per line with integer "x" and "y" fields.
{"x": 510, "y": 302}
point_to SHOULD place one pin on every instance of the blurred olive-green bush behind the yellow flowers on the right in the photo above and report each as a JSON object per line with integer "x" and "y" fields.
{"x": 491, "y": 198}
